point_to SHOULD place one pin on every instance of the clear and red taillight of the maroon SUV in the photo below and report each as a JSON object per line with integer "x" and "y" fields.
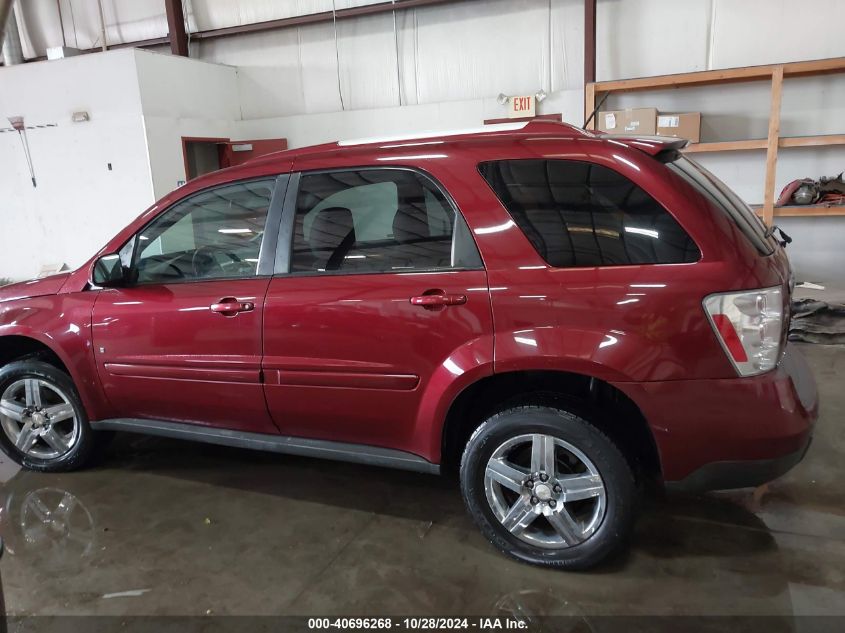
{"x": 748, "y": 325}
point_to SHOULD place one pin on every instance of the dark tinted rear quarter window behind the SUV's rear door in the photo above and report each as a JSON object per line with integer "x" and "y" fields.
{"x": 578, "y": 214}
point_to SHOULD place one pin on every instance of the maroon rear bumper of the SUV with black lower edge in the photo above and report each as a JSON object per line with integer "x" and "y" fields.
{"x": 730, "y": 433}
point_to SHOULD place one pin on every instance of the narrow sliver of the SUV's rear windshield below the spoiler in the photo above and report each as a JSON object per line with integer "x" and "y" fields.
{"x": 726, "y": 200}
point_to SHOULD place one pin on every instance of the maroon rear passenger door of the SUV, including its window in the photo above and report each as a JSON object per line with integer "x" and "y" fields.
{"x": 384, "y": 291}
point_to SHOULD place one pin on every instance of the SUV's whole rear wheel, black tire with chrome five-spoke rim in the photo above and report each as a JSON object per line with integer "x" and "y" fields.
{"x": 579, "y": 522}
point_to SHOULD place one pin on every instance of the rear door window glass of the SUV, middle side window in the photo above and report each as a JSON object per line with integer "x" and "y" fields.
{"x": 377, "y": 220}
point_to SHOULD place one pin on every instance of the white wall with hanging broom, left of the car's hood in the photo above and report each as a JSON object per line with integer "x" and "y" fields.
{"x": 78, "y": 203}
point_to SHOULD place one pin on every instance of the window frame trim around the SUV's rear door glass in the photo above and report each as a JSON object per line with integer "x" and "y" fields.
{"x": 286, "y": 236}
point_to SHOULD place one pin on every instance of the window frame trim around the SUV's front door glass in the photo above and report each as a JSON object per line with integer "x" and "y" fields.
{"x": 279, "y": 185}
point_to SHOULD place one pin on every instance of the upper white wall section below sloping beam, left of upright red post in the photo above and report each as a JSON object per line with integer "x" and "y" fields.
{"x": 457, "y": 52}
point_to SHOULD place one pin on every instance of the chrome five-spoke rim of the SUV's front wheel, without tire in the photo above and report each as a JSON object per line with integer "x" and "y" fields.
{"x": 38, "y": 418}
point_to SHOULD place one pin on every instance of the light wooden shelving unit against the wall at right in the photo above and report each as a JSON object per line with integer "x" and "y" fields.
{"x": 773, "y": 73}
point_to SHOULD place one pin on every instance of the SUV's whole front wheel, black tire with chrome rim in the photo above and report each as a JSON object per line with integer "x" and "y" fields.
{"x": 76, "y": 440}
